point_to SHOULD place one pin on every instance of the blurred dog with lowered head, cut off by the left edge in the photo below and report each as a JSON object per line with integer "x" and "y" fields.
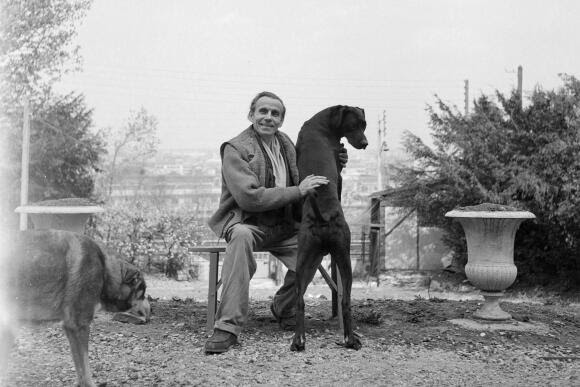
{"x": 55, "y": 275}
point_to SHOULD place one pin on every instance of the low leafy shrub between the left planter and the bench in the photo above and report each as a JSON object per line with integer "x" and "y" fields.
{"x": 149, "y": 237}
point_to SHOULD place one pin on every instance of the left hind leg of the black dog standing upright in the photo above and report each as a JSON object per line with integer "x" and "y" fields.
{"x": 308, "y": 262}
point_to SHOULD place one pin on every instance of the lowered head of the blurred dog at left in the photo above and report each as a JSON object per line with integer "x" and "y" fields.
{"x": 125, "y": 289}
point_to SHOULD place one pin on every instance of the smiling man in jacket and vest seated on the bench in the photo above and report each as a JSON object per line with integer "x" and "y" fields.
{"x": 260, "y": 184}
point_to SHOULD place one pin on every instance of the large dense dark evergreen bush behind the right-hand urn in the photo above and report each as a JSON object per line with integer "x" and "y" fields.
{"x": 505, "y": 154}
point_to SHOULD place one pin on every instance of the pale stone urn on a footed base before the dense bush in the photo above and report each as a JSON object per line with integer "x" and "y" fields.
{"x": 490, "y": 230}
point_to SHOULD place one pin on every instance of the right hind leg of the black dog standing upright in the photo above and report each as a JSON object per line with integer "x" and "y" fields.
{"x": 341, "y": 256}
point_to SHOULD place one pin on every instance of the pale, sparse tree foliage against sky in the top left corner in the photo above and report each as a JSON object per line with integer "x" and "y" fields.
{"x": 36, "y": 45}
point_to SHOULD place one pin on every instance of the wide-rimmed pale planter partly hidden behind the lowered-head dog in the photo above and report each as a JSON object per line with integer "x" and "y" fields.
{"x": 62, "y": 214}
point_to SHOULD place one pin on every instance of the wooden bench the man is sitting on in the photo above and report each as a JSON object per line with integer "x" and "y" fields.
{"x": 215, "y": 283}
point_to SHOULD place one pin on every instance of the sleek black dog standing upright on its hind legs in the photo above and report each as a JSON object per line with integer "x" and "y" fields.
{"x": 323, "y": 229}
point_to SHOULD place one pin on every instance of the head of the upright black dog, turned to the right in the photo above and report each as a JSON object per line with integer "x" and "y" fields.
{"x": 350, "y": 122}
